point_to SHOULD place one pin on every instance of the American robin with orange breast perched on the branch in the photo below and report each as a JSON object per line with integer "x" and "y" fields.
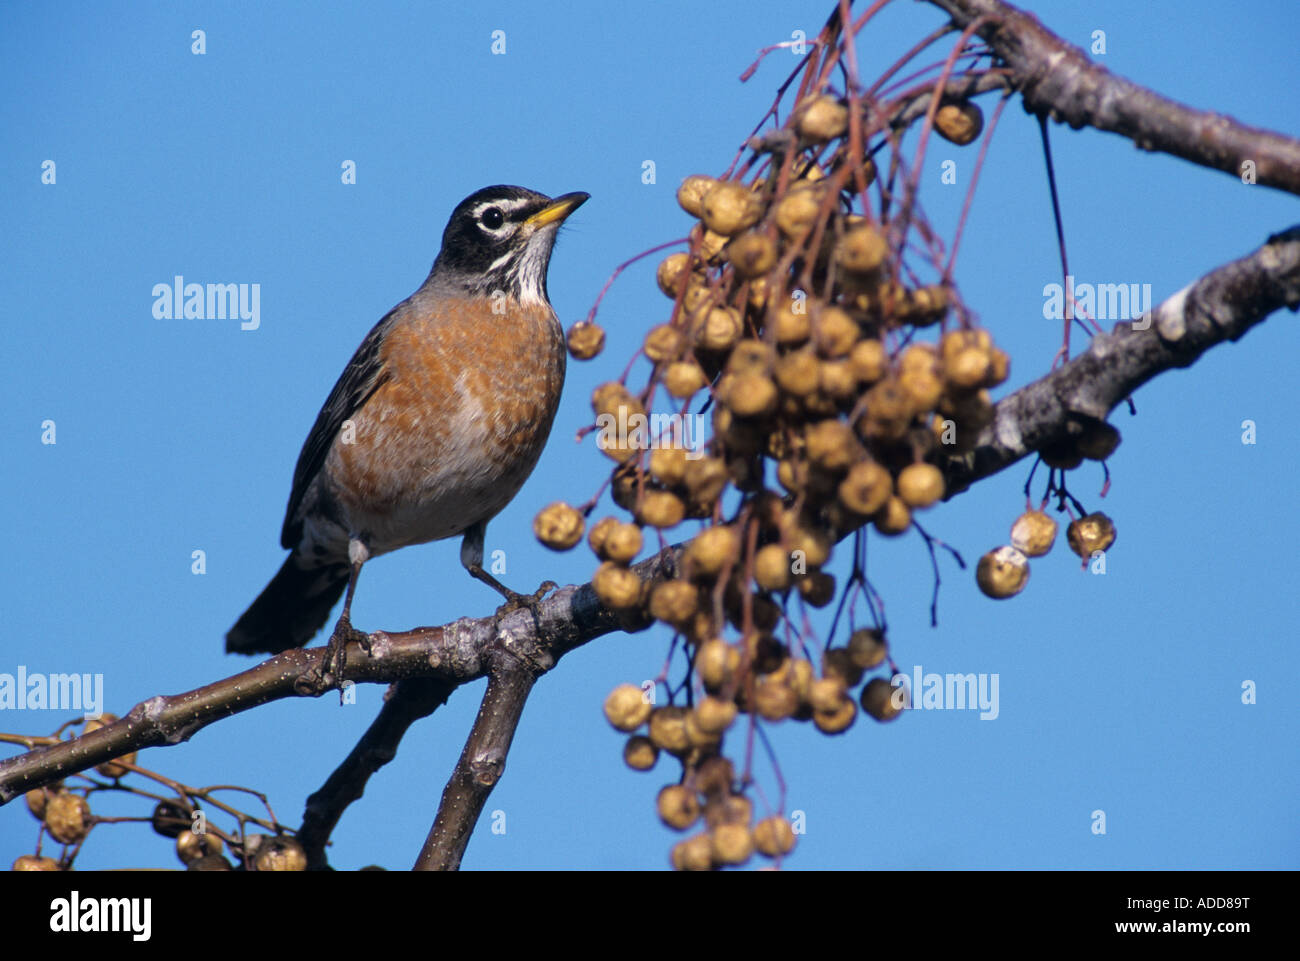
{"x": 435, "y": 425}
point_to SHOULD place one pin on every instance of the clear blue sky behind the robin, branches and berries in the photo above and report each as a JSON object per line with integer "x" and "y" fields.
{"x": 1117, "y": 692}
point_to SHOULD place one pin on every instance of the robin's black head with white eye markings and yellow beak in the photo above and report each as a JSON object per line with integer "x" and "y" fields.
{"x": 501, "y": 239}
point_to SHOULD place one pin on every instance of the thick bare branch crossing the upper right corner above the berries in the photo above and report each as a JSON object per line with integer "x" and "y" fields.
{"x": 1059, "y": 79}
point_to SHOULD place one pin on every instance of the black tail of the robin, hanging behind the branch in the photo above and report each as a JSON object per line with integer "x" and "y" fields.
{"x": 289, "y": 612}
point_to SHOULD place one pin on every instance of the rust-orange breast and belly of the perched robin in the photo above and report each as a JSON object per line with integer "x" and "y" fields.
{"x": 458, "y": 425}
